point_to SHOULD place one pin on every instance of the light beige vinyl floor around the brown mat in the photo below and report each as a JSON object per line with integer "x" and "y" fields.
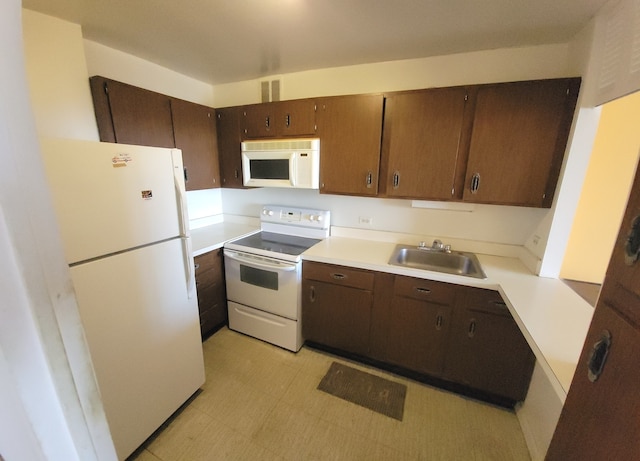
{"x": 261, "y": 402}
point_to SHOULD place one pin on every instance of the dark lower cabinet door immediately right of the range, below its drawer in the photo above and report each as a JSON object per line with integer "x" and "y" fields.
{"x": 336, "y": 316}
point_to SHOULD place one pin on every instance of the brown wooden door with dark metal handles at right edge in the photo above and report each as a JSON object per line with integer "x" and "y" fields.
{"x": 601, "y": 416}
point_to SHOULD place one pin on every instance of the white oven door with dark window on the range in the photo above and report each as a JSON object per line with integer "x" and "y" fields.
{"x": 269, "y": 284}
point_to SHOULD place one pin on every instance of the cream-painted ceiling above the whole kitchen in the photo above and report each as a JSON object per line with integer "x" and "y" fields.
{"x": 221, "y": 41}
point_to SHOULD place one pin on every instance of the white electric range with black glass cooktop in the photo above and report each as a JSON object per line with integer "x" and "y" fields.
{"x": 264, "y": 271}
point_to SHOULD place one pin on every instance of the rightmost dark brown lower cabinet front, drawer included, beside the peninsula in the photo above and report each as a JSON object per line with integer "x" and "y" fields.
{"x": 487, "y": 350}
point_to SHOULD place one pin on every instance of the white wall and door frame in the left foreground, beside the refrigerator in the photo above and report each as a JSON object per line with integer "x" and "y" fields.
{"x": 44, "y": 361}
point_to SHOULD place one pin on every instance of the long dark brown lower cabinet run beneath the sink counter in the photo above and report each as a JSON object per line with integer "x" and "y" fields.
{"x": 459, "y": 337}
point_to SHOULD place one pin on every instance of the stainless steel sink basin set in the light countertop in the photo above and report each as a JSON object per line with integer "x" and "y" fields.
{"x": 456, "y": 262}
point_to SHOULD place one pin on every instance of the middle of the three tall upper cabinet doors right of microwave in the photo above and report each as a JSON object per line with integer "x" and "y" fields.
{"x": 420, "y": 143}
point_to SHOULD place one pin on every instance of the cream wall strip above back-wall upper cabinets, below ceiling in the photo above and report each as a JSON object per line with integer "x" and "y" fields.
{"x": 459, "y": 69}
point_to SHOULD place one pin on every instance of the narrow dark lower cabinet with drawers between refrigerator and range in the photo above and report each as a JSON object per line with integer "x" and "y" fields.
{"x": 212, "y": 297}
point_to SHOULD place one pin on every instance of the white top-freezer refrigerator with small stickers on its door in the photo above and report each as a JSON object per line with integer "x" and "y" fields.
{"x": 123, "y": 219}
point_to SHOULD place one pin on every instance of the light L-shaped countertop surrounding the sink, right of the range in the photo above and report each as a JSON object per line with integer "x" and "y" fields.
{"x": 552, "y": 317}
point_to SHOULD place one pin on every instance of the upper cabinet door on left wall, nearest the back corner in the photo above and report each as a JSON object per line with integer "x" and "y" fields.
{"x": 194, "y": 127}
